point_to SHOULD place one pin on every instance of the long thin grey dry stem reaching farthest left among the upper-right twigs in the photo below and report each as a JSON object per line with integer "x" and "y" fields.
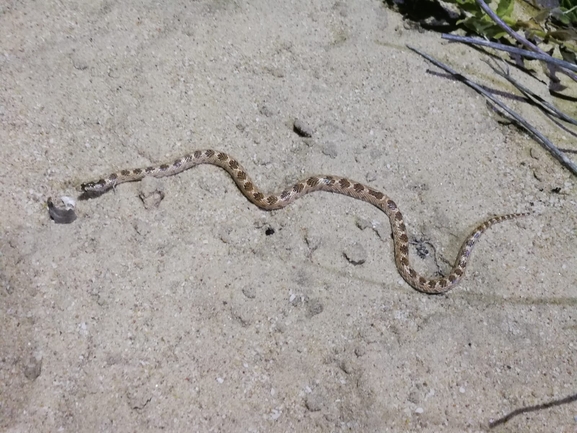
{"x": 570, "y": 165}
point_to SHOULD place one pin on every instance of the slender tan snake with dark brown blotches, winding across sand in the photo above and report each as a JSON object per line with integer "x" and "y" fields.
{"x": 330, "y": 183}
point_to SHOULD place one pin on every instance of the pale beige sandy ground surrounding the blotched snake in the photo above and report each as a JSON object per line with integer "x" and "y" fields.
{"x": 207, "y": 314}
